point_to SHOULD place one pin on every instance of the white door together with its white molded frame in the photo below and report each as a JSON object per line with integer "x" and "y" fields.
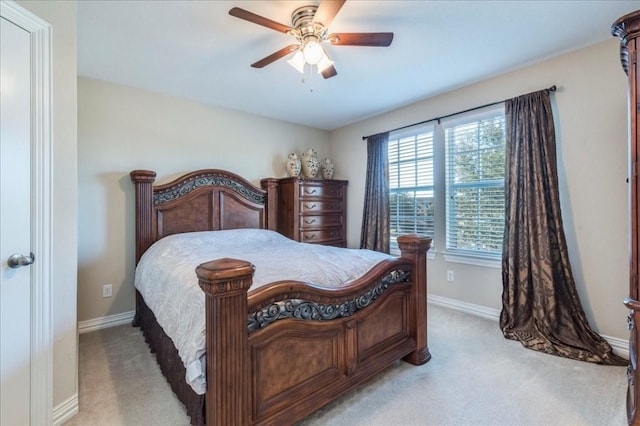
{"x": 25, "y": 294}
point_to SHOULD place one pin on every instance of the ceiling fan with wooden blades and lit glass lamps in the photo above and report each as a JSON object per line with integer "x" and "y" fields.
{"x": 310, "y": 28}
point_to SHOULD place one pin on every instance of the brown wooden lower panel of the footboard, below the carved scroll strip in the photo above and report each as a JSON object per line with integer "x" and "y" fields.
{"x": 298, "y": 362}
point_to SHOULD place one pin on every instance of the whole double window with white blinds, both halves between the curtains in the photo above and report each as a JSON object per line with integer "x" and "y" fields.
{"x": 446, "y": 181}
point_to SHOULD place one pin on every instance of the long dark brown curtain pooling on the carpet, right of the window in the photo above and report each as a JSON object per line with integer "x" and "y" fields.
{"x": 540, "y": 304}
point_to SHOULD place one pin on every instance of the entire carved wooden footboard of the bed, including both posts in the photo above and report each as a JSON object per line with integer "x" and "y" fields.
{"x": 283, "y": 351}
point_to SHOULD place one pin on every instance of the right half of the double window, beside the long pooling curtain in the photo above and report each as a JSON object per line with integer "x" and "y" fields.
{"x": 475, "y": 165}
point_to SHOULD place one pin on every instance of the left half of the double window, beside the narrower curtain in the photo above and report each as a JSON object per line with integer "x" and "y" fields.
{"x": 411, "y": 184}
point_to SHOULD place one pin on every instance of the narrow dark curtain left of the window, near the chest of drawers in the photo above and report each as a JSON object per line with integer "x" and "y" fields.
{"x": 375, "y": 217}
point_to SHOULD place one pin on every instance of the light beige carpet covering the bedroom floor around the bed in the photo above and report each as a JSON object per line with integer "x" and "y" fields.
{"x": 475, "y": 377}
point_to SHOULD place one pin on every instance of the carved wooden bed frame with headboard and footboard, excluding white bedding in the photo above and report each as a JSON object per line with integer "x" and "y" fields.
{"x": 276, "y": 353}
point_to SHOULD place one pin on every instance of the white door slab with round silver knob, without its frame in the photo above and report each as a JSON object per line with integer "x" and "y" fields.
{"x": 15, "y": 223}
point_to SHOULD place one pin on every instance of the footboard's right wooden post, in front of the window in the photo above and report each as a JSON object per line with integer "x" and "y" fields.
{"x": 415, "y": 247}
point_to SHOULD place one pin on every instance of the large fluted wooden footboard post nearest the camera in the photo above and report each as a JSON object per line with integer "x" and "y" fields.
{"x": 225, "y": 283}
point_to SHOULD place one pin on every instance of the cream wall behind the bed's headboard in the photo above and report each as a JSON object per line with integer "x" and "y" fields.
{"x": 121, "y": 129}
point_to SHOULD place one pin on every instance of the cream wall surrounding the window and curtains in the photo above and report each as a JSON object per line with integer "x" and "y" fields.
{"x": 590, "y": 110}
